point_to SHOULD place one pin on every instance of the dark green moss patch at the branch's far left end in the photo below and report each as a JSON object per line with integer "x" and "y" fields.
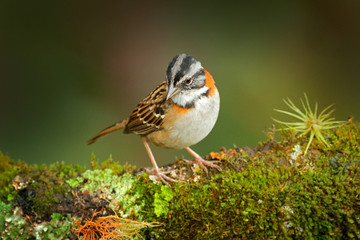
{"x": 37, "y": 189}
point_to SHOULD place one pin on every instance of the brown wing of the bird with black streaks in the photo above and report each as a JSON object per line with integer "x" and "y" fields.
{"x": 148, "y": 116}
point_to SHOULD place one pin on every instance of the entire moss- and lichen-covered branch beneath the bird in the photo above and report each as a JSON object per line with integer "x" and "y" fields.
{"x": 272, "y": 190}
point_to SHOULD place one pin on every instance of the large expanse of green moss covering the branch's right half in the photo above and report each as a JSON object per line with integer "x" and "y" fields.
{"x": 273, "y": 191}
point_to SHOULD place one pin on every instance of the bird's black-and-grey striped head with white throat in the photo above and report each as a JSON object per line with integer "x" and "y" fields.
{"x": 186, "y": 80}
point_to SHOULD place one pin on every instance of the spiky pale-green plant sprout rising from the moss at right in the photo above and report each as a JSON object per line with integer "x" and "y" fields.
{"x": 310, "y": 122}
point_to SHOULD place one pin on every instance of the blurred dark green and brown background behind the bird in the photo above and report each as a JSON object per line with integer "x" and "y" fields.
{"x": 69, "y": 69}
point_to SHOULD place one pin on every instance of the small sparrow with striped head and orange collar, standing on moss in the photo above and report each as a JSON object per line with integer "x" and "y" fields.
{"x": 177, "y": 114}
